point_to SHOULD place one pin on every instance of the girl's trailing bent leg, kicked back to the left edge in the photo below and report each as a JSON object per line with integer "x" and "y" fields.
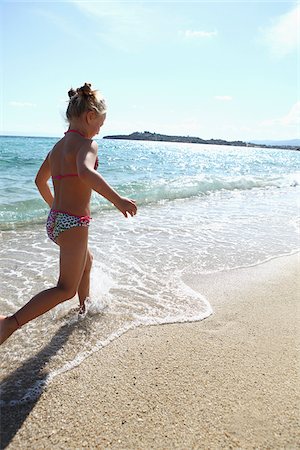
{"x": 73, "y": 250}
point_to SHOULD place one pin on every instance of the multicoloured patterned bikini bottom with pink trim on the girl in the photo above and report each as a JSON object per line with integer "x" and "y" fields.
{"x": 59, "y": 221}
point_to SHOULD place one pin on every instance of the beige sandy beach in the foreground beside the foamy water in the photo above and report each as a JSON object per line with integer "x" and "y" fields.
{"x": 230, "y": 381}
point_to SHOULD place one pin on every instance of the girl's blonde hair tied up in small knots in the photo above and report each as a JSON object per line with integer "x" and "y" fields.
{"x": 84, "y": 99}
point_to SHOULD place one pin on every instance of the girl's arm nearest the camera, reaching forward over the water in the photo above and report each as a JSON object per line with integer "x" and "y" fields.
{"x": 86, "y": 159}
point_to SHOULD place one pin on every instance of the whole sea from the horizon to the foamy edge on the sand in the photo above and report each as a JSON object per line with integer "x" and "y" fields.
{"x": 201, "y": 209}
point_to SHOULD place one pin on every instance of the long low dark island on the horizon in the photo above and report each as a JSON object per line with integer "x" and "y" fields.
{"x": 148, "y": 136}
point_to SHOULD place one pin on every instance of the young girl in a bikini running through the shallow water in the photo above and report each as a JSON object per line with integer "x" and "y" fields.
{"x": 72, "y": 164}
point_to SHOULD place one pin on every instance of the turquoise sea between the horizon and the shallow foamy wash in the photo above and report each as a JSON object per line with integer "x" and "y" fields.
{"x": 151, "y": 172}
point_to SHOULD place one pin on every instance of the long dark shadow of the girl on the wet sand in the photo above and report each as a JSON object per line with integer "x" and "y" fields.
{"x": 30, "y": 377}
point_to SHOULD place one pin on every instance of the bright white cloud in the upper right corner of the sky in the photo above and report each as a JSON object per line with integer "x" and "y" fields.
{"x": 283, "y": 36}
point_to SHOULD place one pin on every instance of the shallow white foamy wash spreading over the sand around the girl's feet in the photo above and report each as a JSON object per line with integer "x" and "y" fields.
{"x": 138, "y": 267}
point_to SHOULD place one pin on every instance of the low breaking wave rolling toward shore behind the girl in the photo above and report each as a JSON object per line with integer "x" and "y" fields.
{"x": 20, "y": 213}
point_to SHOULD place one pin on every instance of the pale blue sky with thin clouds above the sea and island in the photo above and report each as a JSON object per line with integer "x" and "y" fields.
{"x": 211, "y": 69}
